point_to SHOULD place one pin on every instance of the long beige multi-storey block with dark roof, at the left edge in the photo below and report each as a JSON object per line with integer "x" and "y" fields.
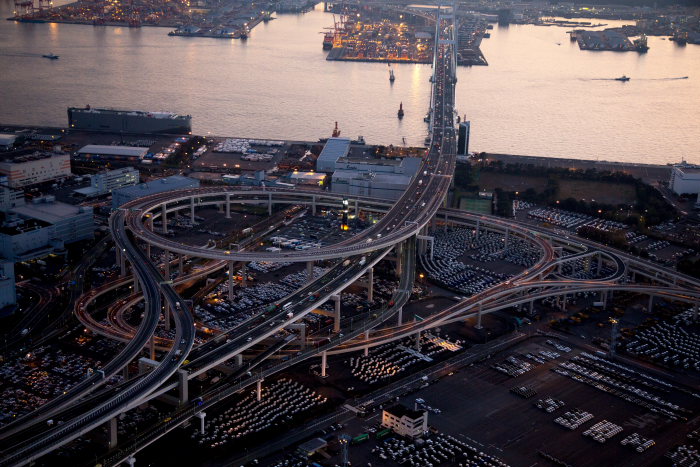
{"x": 24, "y": 168}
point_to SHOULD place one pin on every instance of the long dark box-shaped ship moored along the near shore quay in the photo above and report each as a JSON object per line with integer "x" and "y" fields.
{"x": 128, "y": 121}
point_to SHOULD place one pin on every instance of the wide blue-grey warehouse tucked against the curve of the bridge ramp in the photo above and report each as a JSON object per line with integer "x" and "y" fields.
{"x": 386, "y": 179}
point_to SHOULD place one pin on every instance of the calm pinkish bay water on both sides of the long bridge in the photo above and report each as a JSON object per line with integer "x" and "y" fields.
{"x": 539, "y": 95}
